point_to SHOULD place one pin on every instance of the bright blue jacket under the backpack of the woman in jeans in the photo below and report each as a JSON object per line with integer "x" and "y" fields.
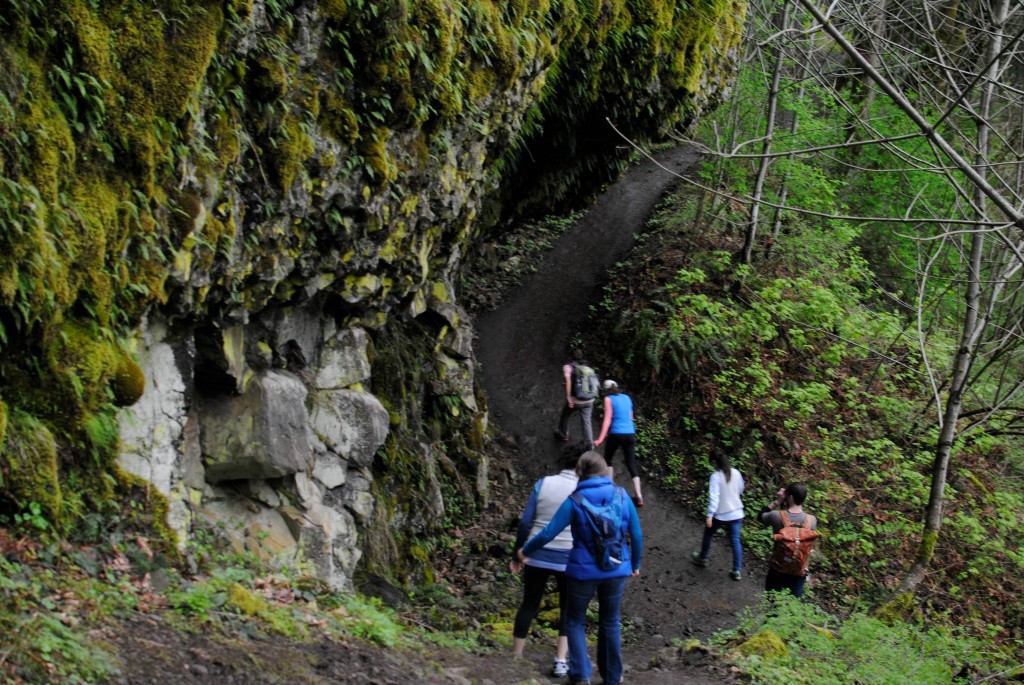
{"x": 582, "y": 566}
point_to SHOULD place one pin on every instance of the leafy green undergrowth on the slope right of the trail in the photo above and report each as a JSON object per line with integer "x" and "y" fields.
{"x": 802, "y": 370}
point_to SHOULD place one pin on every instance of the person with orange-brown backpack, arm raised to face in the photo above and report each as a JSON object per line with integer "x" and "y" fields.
{"x": 795, "y": 533}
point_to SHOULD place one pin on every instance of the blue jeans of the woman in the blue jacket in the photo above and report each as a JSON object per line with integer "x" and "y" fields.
{"x": 610, "y": 652}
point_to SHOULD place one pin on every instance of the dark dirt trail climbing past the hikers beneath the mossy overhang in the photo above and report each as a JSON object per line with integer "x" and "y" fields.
{"x": 522, "y": 348}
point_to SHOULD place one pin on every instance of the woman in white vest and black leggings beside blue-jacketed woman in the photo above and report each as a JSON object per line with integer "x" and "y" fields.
{"x": 548, "y": 495}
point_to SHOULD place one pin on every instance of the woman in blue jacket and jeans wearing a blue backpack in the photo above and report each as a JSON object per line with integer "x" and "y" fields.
{"x": 591, "y": 573}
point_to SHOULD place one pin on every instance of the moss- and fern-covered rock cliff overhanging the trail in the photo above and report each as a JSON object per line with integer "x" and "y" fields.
{"x": 200, "y": 167}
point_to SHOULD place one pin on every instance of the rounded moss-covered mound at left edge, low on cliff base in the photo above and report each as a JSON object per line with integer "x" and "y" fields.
{"x": 29, "y": 464}
